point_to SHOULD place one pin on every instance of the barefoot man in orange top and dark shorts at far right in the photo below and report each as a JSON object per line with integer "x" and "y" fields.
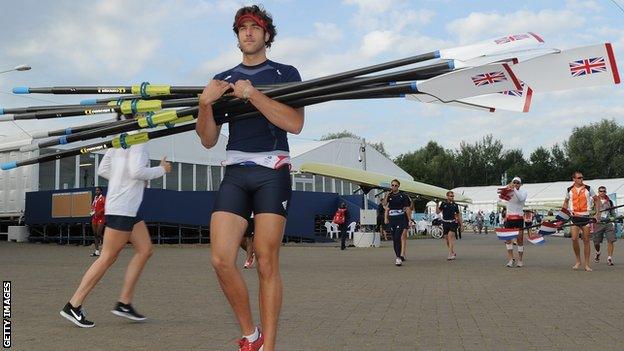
{"x": 577, "y": 201}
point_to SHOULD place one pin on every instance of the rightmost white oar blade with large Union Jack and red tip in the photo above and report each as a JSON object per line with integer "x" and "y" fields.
{"x": 575, "y": 68}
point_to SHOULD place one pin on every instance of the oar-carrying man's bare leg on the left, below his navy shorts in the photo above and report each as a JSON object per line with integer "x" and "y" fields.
{"x": 226, "y": 232}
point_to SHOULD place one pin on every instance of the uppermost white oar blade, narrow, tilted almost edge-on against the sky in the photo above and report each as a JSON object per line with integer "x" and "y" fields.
{"x": 493, "y": 46}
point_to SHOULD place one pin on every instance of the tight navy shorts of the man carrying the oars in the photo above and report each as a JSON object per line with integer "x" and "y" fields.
{"x": 254, "y": 188}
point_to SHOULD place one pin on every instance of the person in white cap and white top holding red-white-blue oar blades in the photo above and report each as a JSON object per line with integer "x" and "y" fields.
{"x": 515, "y": 219}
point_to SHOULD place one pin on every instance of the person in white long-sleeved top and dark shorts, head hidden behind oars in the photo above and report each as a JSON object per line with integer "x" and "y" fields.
{"x": 127, "y": 171}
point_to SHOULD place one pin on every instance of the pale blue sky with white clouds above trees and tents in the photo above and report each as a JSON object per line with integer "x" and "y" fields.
{"x": 186, "y": 42}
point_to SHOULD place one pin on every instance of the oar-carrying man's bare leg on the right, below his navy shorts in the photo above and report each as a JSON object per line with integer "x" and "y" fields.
{"x": 268, "y": 238}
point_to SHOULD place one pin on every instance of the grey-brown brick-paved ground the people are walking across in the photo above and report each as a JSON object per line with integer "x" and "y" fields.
{"x": 351, "y": 300}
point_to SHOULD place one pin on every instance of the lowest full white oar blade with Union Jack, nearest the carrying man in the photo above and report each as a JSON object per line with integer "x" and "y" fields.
{"x": 470, "y": 82}
